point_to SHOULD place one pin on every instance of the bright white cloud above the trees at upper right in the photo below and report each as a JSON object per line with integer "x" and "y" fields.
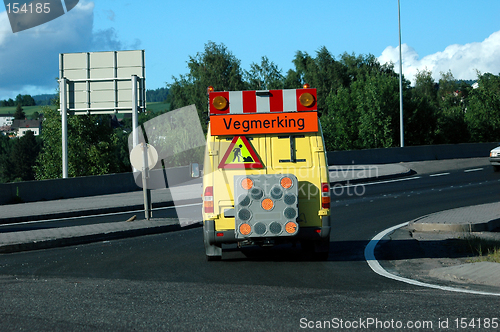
{"x": 462, "y": 60}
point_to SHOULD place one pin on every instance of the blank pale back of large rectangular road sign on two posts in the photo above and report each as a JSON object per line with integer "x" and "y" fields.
{"x": 100, "y": 82}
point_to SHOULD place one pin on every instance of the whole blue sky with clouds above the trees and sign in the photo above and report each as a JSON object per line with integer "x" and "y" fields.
{"x": 439, "y": 35}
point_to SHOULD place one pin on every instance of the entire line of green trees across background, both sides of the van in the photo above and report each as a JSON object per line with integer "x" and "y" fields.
{"x": 358, "y": 99}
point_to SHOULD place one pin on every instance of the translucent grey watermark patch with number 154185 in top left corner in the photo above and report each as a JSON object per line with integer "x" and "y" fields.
{"x": 25, "y": 15}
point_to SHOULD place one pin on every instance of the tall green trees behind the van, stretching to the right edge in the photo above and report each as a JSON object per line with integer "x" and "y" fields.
{"x": 358, "y": 97}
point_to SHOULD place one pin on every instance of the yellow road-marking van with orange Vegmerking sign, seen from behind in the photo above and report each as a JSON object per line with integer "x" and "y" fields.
{"x": 265, "y": 177}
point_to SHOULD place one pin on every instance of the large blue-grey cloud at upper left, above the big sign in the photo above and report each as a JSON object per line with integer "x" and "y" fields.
{"x": 30, "y": 58}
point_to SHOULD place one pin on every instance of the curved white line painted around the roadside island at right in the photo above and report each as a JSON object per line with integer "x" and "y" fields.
{"x": 377, "y": 268}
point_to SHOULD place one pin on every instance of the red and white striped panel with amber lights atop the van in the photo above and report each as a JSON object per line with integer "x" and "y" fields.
{"x": 264, "y": 101}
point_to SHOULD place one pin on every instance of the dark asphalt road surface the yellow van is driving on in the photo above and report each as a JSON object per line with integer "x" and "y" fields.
{"x": 162, "y": 282}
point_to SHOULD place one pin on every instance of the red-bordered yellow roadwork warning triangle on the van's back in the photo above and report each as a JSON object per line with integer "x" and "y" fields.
{"x": 240, "y": 154}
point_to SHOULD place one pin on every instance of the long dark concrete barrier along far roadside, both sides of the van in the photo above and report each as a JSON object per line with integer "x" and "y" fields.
{"x": 32, "y": 191}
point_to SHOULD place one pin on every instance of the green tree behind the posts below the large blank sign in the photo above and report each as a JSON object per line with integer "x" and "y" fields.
{"x": 92, "y": 146}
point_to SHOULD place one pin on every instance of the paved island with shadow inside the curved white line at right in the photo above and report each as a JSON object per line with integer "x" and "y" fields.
{"x": 437, "y": 257}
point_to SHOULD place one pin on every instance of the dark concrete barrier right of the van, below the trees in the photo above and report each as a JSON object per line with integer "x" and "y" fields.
{"x": 410, "y": 153}
